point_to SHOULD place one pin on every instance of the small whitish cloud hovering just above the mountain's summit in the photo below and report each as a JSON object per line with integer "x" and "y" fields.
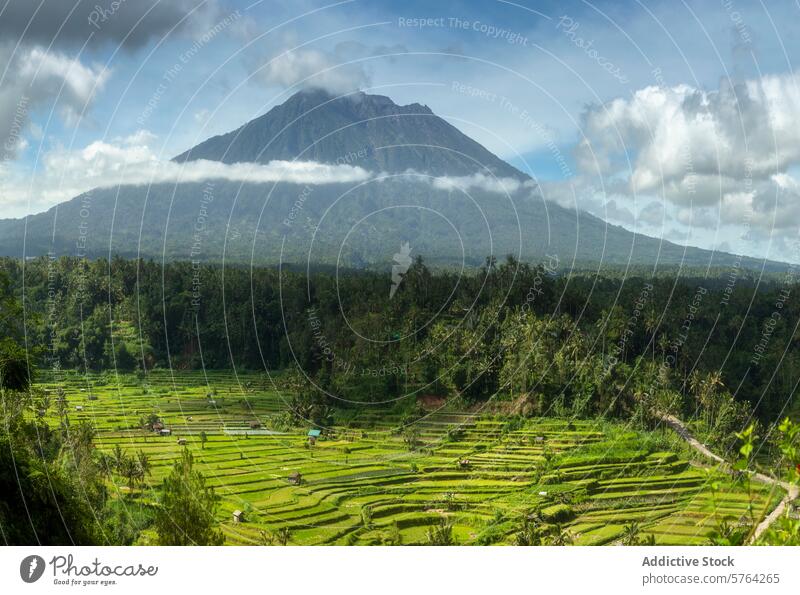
{"x": 311, "y": 68}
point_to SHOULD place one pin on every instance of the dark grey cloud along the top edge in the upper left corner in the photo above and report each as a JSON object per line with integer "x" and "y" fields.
{"x": 130, "y": 23}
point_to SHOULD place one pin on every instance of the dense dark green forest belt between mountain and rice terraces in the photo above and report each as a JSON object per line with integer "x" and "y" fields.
{"x": 585, "y": 342}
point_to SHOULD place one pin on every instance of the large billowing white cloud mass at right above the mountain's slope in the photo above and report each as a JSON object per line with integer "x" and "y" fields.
{"x": 720, "y": 156}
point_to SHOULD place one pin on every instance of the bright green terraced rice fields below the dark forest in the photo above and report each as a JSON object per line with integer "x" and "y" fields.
{"x": 362, "y": 484}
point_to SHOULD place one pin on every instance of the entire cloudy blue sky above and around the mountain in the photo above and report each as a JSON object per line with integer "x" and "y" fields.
{"x": 596, "y": 100}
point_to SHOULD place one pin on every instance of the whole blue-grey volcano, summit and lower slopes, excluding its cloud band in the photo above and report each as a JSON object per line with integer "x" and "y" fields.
{"x": 348, "y": 224}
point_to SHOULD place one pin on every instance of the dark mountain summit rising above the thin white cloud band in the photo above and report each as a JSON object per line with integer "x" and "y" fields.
{"x": 315, "y": 125}
